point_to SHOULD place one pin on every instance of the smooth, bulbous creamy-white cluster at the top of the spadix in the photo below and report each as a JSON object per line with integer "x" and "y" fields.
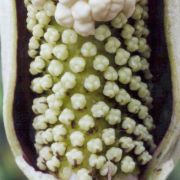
{"x": 82, "y": 15}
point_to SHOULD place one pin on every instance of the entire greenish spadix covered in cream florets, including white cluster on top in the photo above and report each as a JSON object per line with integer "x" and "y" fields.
{"x": 90, "y": 88}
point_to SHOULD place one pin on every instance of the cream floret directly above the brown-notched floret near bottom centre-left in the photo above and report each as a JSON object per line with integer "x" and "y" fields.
{"x": 77, "y": 139}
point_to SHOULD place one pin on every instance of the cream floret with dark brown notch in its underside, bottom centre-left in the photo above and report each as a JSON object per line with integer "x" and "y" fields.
{"x": 74, "y": 157}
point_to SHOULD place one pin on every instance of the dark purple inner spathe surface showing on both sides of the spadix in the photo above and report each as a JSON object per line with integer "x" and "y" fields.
{"x": 160, "y": 68}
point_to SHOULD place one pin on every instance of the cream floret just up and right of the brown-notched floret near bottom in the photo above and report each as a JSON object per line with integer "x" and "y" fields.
{"x": 95, "y": 145}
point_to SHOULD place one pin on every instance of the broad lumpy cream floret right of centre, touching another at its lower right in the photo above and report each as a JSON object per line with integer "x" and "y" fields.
{"x": 100, "y": 109}
